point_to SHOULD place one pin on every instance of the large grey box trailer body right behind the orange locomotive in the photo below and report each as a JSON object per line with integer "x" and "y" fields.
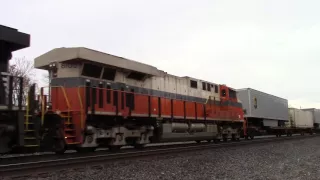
{"x": 264, "y": 106}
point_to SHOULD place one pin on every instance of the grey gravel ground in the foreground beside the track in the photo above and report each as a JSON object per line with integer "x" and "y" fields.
{"x": 293, "y": 160}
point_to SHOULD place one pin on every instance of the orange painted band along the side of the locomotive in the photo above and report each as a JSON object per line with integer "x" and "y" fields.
{"x": 105, "y": 104}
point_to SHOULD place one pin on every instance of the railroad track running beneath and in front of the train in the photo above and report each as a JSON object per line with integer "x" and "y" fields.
{"x": 80, "y": 160}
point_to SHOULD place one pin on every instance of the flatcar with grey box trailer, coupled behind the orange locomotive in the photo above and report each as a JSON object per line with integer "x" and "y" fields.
{"x": 263, "y": 112}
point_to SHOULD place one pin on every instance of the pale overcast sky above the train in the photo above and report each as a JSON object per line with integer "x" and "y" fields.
{"x": 270, "y": 45}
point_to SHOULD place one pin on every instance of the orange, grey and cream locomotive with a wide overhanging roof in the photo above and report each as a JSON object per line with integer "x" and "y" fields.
{"x": 100, "y": 100}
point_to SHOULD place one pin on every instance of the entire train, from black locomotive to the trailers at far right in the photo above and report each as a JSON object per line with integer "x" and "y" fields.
{"x": 99, "y": 100}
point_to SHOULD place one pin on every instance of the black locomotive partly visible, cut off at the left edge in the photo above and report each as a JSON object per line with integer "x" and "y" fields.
{"x": 12, "y": 117}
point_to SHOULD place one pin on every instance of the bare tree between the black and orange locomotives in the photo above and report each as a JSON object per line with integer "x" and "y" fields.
{"x": 21, "y": 67}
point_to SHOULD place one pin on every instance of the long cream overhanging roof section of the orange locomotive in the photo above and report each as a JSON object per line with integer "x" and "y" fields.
{"x": 81, "y": 53}
